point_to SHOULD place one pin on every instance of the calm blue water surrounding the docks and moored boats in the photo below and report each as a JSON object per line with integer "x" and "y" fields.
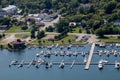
{"x": 54, "y": 73}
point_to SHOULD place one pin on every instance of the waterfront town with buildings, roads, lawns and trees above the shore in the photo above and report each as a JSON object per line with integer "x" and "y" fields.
{"x": 43, "y": 28}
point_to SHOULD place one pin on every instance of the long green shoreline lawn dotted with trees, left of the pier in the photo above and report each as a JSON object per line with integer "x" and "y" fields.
{"x": 64, "y": 41}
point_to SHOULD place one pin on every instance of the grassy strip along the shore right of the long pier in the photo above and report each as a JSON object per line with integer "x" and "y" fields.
{"x": 110, "y": 39}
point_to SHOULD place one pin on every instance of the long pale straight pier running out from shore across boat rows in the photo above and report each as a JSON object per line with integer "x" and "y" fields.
{"x": 90, "y": 57}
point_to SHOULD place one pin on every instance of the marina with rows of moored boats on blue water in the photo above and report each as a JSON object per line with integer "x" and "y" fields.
{"x": 41, "y": 62}
